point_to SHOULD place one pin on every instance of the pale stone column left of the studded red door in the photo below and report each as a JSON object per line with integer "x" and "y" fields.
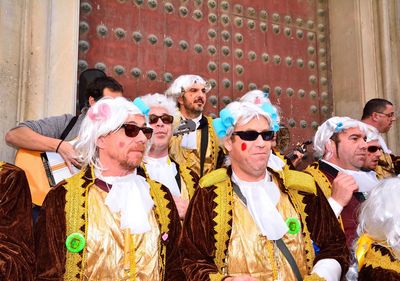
{"x": 39, "y": 61}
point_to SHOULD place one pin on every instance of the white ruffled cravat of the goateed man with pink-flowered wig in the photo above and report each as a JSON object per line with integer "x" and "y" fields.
{"x": 130, "y": 196}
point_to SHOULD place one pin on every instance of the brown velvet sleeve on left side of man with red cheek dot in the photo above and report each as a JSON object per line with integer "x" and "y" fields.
{"x": 197, "y": 243}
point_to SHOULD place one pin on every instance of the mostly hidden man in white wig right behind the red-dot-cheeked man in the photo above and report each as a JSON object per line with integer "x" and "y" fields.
{"x": 277, "y": 161}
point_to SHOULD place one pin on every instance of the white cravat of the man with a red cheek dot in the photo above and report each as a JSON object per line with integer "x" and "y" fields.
{"x": 262, "y": 198}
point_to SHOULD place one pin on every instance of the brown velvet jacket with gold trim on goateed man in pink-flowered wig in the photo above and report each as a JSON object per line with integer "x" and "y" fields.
{"x": 64, "y": 212}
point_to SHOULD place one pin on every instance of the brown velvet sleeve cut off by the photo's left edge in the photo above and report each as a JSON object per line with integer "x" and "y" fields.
{"x": 17, "y": 259}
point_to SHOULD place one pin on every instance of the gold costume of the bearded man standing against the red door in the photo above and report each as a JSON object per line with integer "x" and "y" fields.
{"x": 191, "y": 157}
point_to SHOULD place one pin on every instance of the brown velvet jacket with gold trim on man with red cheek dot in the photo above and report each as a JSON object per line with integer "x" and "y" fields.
{"x": 207, "y": 229}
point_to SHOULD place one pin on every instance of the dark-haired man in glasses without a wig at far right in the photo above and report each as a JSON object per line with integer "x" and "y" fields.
{"x": 380, "y": 114}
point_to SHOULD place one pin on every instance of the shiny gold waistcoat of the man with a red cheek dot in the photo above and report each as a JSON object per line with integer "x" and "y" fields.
{"x": 248, "y": 249}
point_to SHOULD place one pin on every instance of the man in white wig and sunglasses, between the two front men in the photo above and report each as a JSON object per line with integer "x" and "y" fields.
{"x": 180, "y": 180}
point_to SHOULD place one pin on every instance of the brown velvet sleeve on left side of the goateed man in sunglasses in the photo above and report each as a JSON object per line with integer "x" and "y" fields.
{"x": 50, "y": 233}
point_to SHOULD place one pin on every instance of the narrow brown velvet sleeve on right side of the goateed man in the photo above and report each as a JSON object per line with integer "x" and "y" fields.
{"x": 173, "y": 266}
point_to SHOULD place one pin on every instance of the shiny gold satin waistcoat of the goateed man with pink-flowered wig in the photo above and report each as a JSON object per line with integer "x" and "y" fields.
{"x": 106, "y": 241}
